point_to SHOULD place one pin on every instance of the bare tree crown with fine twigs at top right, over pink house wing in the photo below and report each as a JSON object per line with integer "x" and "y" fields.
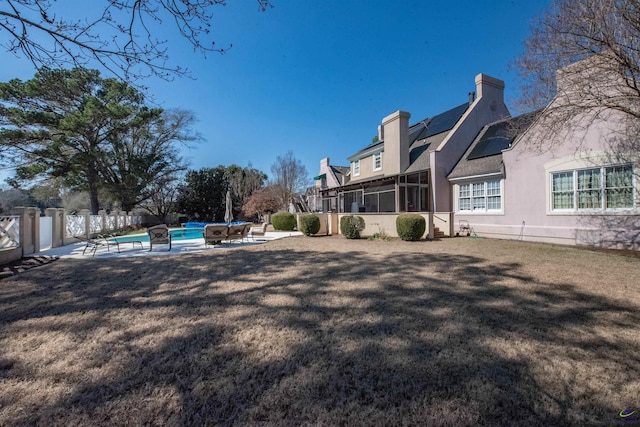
{"x": 572, "y": 30}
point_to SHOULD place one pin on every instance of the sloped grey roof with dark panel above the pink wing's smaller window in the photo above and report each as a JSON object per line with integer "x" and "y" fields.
{"x": 484, "y": 155}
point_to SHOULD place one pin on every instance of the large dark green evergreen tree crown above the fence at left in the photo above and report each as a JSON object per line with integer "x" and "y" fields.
{"x": 90, "y": 133}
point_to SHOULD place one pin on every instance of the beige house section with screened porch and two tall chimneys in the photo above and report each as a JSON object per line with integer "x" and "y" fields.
{"x": 406, "y": 168}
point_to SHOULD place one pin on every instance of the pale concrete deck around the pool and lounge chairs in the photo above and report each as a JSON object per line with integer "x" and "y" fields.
{"x": 139, "y": 249}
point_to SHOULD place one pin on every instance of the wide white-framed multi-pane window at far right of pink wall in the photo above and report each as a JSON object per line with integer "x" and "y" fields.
{"x": 595, "y": 188}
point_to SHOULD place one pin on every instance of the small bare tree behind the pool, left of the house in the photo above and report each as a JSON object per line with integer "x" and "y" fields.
{"x": 290, "y": 176}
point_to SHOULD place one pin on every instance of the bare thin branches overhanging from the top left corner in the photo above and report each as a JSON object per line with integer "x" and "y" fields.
{"x": 119, "y": 36}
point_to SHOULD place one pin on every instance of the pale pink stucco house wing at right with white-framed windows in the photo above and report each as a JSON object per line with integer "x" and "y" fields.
{"x": 552, "y": 175}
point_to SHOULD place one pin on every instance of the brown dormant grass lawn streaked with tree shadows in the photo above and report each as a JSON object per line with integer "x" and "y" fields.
{"x": 325, "y": 331}
